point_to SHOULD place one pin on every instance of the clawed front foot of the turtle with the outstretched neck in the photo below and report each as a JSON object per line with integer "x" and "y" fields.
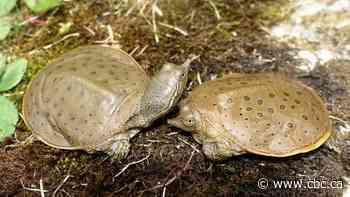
{"x": 121, "y": 144}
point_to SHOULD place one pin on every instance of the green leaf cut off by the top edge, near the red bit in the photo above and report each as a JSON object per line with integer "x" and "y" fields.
{"x": 41, "y": 6}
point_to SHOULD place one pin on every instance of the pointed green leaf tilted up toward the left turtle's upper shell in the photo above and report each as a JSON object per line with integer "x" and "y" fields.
{"x": 13, "y": 74}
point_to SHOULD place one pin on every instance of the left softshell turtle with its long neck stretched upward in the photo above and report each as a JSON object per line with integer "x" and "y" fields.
{"x": 96, "y": 98}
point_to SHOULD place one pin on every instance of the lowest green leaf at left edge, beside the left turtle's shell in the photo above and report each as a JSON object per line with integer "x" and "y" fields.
{"x": 8, "y": 118}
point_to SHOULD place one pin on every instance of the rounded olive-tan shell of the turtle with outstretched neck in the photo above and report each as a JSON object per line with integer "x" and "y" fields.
{"x": 76, "y": 101}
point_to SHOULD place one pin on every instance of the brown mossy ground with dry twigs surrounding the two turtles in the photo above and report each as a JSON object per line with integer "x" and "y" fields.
{"x": 165, "y": 161}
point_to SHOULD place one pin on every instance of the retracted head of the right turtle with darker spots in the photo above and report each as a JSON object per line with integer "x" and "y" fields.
{"x": 187, "y": 119}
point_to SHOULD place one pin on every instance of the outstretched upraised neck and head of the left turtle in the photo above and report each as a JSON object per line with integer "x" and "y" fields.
{"x": 162, "y": 93}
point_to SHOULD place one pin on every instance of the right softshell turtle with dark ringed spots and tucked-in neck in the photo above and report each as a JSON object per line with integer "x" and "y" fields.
{"x": 265, "y": 114}
